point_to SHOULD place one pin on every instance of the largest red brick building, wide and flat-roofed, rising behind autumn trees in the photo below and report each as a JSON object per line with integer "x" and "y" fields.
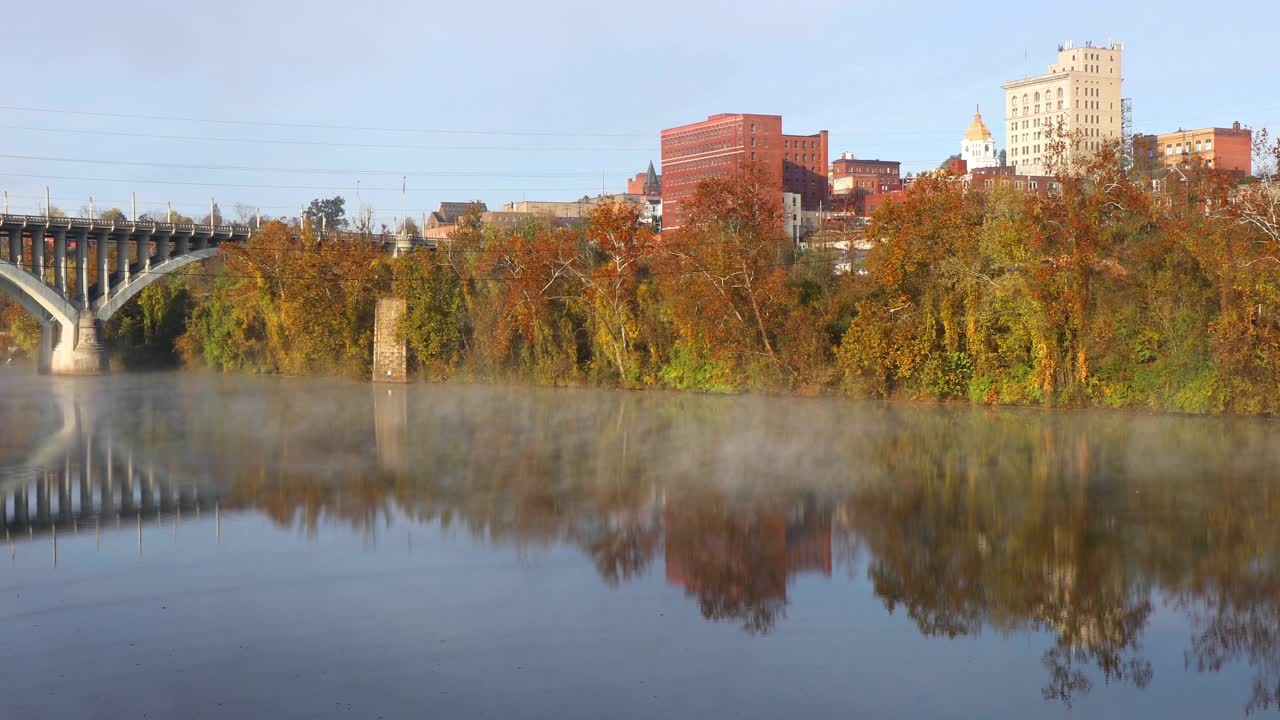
{"x": 719, "y": 145}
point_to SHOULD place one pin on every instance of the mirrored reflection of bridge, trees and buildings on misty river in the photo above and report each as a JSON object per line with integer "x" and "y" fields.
{"x": 1071, "y": 527}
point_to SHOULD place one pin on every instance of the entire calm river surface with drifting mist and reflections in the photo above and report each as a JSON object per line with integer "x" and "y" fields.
{"x": 184, "y": 546}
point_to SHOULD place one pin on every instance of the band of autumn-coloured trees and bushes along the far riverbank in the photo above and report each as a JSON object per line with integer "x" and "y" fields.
{"x": 1104, "y": 290}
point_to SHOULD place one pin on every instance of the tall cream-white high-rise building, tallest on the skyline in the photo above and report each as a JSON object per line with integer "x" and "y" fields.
{"x": 1081, "y": 94}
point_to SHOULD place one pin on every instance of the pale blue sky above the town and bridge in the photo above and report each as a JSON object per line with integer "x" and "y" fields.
{"x": 545, "y": 101}
